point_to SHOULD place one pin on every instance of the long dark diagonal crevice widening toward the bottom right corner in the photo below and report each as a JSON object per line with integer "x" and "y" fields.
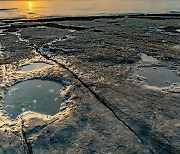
{"x": 142, "y": 131}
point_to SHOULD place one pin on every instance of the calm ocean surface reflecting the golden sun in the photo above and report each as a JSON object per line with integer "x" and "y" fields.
{"x": 49, "y": 8}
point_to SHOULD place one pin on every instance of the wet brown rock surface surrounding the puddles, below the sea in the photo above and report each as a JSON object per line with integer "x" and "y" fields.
{"x": 108, "y": 107}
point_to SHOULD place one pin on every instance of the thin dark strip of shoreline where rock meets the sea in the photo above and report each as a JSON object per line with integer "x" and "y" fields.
{"x": 159, "y": 16}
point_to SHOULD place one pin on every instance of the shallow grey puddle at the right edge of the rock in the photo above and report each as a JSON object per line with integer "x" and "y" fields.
{"x": 159, "y": 77}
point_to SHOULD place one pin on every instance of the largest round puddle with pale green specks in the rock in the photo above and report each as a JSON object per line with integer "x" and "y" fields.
{"x": 40, "y": 96}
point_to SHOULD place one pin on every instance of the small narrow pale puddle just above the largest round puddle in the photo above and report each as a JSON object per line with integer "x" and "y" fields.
{"x": 33, "y": 66}
